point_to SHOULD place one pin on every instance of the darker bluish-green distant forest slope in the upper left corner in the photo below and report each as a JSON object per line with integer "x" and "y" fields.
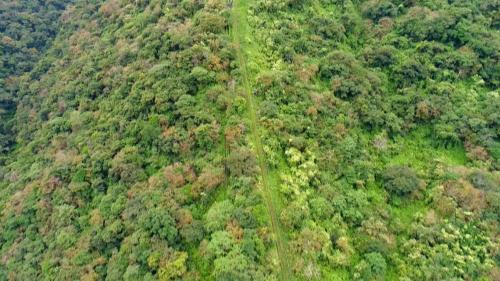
{"x": 26, "y": 30}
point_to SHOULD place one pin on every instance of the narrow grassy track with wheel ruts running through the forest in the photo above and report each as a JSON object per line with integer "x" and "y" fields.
{"x": 240, "y": 36}
